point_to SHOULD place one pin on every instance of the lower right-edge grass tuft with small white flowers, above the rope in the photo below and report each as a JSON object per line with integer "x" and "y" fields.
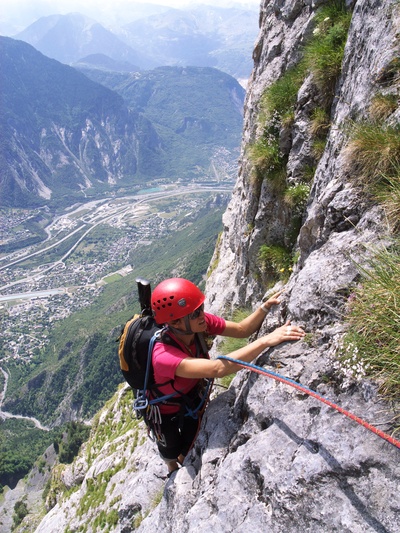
{"x": 372, "y": 344}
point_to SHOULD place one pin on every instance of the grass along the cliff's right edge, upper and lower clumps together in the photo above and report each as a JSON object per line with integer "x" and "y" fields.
{"x": 372, "y": 344}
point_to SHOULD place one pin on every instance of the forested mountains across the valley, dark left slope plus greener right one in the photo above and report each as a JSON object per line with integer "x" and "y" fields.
{"x": 64, "y": 136}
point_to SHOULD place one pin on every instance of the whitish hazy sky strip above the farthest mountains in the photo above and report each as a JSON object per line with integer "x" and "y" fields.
{"x": 15, "y": 15}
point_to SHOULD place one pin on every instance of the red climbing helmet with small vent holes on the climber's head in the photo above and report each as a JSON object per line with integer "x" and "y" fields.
{"x": 175, "y": 298}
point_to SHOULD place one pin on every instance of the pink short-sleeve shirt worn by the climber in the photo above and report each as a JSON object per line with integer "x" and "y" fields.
{"x": 166, "y": 359}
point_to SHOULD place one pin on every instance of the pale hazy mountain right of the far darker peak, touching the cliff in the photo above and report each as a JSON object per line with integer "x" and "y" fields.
{"x": 200, "y": 36}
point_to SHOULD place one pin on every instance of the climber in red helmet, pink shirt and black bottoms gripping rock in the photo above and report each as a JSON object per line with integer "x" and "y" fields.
{"x": 179, "y": 304}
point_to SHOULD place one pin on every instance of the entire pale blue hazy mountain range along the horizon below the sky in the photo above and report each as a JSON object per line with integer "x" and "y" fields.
{"x": 201, "y": 36}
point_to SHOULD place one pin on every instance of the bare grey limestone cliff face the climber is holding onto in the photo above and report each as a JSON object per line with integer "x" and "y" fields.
{"x": 270, "y": 458}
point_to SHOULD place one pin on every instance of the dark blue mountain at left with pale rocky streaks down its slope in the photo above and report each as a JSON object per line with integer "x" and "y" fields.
{"x": 60, "y": 132}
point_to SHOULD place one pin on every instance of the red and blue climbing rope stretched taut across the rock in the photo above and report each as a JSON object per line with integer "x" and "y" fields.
{"x": 302, "y": 388}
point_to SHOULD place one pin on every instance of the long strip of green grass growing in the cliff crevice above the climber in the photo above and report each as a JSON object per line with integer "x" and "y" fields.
{"x": 322, "y": 57}
